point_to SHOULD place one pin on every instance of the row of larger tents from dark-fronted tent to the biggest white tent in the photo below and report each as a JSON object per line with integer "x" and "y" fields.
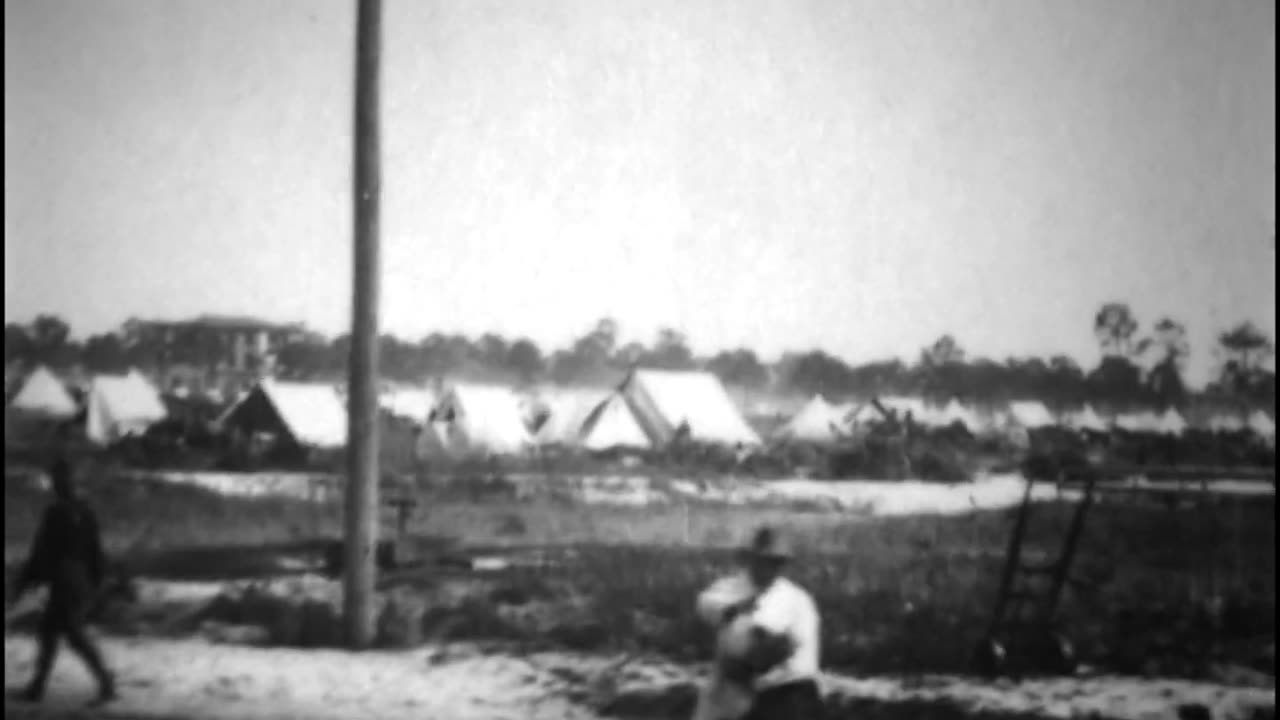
{"x": 650, "y": 409}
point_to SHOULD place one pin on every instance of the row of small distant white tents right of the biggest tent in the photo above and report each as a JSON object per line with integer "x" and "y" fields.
{"x": 821, "y": 421}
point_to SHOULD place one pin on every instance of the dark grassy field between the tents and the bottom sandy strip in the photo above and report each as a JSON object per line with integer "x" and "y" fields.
{"x": 898, "y": 595}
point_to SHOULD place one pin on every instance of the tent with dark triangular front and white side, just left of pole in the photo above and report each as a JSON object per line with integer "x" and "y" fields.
{"x": 310, "y": 414}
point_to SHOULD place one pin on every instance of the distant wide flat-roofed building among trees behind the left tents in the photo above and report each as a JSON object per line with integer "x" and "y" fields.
{"x": 216, "y": 343}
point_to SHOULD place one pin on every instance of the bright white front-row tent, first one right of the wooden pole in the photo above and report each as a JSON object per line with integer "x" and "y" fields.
{"x": 483, "y": 420}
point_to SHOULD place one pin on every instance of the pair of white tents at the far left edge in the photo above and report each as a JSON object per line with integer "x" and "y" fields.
{"x": 113, "y": 407}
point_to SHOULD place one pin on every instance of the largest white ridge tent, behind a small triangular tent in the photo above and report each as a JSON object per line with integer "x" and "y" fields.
{"x": 665, "y": 400}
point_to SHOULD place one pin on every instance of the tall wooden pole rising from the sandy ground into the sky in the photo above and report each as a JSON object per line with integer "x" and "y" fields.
{"x": 362, "y": 507}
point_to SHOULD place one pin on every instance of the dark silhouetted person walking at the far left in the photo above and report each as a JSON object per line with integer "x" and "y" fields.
{"x": 67, "y": 557}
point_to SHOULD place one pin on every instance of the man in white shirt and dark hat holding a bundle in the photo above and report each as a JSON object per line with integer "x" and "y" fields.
{"x": 780, "y": 671}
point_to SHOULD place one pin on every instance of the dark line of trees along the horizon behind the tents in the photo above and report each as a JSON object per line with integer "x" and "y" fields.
{"x": 1139, "y": 367}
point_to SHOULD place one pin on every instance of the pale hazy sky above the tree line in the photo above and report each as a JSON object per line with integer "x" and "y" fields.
{"x": 862, "y": 176}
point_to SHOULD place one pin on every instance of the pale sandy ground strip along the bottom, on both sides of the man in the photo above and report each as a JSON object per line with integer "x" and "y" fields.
{"x": 194, "y": 680}
